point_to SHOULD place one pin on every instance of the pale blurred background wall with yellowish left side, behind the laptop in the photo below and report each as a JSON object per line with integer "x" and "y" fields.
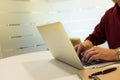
{"x": 20, "y": 18}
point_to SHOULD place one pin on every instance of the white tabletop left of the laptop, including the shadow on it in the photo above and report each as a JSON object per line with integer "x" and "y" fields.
{"x": 36, "y": 66}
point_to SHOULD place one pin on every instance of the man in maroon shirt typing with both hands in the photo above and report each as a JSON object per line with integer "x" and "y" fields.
{"x": 107, "y": 30}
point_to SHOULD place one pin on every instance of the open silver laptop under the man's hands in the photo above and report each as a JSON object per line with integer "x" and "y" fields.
{"x": 61, "y": 47}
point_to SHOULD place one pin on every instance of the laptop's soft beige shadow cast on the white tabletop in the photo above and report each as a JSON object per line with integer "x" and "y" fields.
{"x": 49, "y": 69}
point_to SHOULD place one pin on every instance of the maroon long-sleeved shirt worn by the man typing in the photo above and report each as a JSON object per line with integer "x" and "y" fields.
{"x": 108, "y": 29}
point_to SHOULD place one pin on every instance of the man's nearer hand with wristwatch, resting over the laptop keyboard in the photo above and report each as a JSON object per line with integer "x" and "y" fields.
{"x": 99, "y": 53}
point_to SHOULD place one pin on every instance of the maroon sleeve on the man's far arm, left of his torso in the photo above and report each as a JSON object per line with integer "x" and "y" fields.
{"x": 98, "y": 36}
